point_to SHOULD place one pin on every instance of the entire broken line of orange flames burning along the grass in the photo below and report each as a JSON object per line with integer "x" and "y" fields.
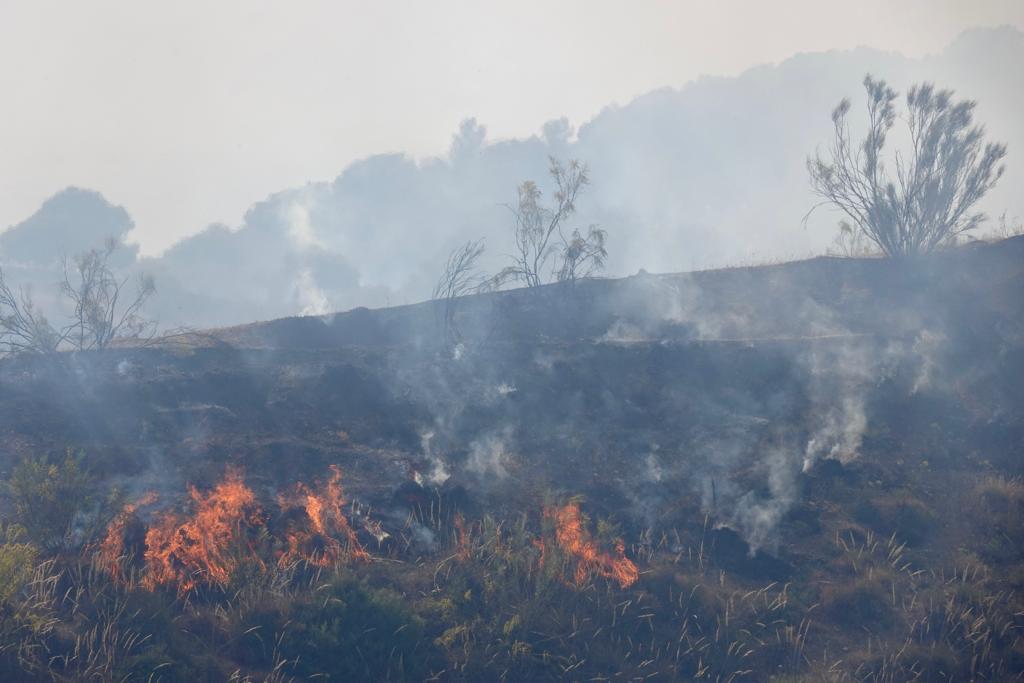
{"x": 226, "y": 530}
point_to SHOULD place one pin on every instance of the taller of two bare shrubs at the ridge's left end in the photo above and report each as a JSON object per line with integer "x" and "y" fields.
{"x": 104, "y": 309}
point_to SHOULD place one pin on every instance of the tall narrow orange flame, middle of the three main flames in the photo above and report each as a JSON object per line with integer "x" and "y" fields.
{"x": 318, "y": 543}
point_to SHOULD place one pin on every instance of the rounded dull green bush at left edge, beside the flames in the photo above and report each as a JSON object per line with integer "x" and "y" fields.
{"x": 49, "y": 497}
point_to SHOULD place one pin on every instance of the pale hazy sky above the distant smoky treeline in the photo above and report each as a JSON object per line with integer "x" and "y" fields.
{"x": 187, "y": 113}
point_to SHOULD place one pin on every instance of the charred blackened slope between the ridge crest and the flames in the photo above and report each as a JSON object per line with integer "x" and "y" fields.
{"x": 681, "y": 408}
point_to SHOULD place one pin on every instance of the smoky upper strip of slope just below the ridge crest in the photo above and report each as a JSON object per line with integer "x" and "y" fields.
{"x": 971, "y": 286}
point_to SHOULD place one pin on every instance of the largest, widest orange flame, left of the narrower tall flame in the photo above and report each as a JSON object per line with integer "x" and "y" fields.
{"x": 203, "y": 548}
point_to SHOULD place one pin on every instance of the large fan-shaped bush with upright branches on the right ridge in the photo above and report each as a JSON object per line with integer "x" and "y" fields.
{"x": 929, "y": 201}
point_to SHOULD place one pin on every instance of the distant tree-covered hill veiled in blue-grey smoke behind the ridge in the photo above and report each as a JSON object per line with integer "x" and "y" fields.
{"x": 706, "y": 176}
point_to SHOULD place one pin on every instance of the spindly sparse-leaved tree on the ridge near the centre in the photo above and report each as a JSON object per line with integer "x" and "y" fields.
{"x": 538, "y": 231}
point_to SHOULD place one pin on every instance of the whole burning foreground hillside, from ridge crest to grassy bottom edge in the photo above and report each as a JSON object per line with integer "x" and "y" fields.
{"x": 804, "y": 472}
